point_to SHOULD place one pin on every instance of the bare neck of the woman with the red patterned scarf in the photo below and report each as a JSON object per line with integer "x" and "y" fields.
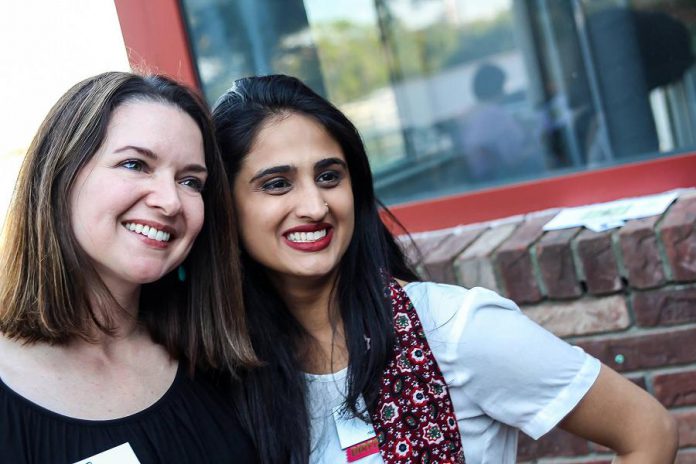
{"x": 313, "y": 304}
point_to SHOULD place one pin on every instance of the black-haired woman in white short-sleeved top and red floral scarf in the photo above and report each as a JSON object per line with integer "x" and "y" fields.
{"x": 362, "y": 361}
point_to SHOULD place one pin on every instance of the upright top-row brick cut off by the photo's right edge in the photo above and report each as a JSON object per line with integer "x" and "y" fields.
{"x": 678, "y": 234}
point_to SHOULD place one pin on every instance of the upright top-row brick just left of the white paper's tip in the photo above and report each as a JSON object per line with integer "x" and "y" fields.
{"x": 514, "y": 262}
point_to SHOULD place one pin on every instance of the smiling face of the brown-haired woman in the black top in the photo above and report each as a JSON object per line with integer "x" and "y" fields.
{"x": 136, "y": 205}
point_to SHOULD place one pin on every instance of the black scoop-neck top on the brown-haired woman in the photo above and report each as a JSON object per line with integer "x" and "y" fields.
{"x": 193, "y": 422}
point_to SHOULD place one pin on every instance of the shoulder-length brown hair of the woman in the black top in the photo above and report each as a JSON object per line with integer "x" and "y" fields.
{"x": 50, "y": 292}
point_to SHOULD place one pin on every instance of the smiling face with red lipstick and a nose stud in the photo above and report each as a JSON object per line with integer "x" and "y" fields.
{"x": 294, "y": 199}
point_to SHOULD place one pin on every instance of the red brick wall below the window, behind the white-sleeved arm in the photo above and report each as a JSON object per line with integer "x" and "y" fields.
{"x": 626, "y": 296}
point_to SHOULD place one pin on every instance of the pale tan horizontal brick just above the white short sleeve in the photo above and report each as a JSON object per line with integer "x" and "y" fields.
{"x": 581, "y": 317}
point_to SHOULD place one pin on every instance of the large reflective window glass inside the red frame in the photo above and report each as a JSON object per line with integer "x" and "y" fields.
{"x": 454, "y": 96}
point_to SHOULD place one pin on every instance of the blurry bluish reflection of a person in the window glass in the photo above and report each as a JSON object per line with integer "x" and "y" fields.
{"x": 495, "y": 144}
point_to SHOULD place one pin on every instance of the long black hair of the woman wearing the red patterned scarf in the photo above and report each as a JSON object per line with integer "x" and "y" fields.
{"x": 276, "y": 410}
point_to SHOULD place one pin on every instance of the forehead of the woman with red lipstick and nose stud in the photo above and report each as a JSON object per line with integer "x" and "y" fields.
{"x": 292, "y": 139}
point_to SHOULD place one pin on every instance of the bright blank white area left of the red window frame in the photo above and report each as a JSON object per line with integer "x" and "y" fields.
{"x": 46, "y": 46}
